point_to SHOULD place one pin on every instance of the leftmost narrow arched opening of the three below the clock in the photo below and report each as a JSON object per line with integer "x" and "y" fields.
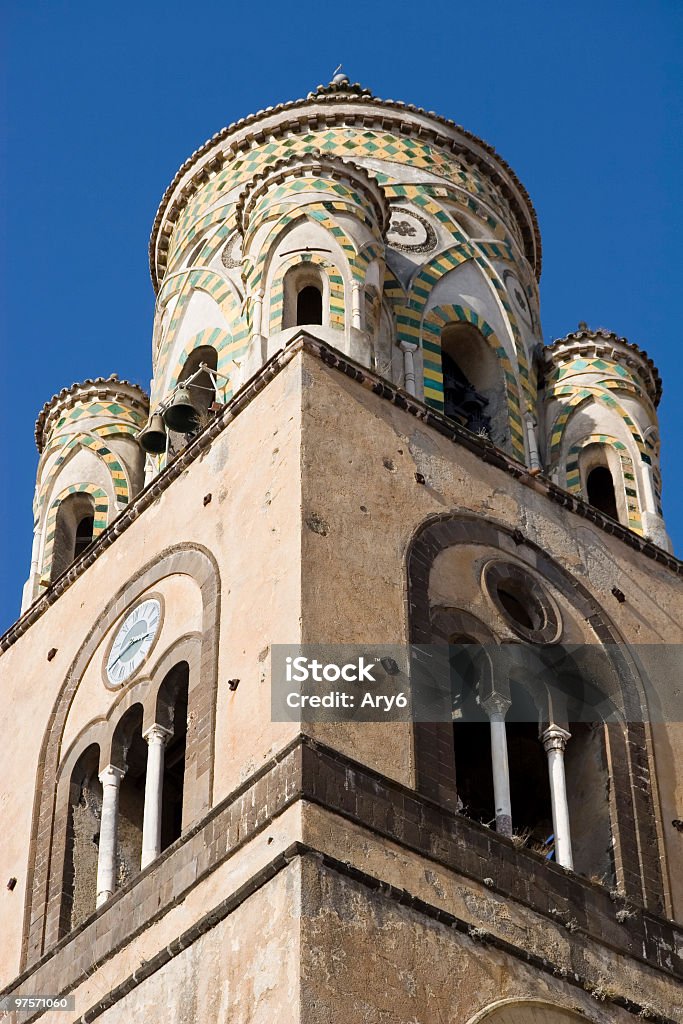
{"x": 86, "y": 802}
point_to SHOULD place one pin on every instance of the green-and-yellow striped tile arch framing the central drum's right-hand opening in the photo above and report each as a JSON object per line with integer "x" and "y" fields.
{"x": 435, "y": 323}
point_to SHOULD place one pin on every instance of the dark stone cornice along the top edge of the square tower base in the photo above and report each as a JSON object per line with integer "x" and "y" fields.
{"x": 480, "y": 447}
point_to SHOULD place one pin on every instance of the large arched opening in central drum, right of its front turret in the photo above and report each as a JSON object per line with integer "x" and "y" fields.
{"x": 474, "y": 388}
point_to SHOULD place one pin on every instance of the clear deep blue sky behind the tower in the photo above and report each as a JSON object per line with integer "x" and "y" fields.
{"x": 103, "y": 103}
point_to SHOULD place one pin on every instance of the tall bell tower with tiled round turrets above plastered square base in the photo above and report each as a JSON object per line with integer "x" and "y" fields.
{"x": 357, "y": 443}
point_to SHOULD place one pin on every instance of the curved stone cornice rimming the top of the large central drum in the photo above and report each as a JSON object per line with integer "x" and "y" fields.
{"x": 328, "y": 108}
